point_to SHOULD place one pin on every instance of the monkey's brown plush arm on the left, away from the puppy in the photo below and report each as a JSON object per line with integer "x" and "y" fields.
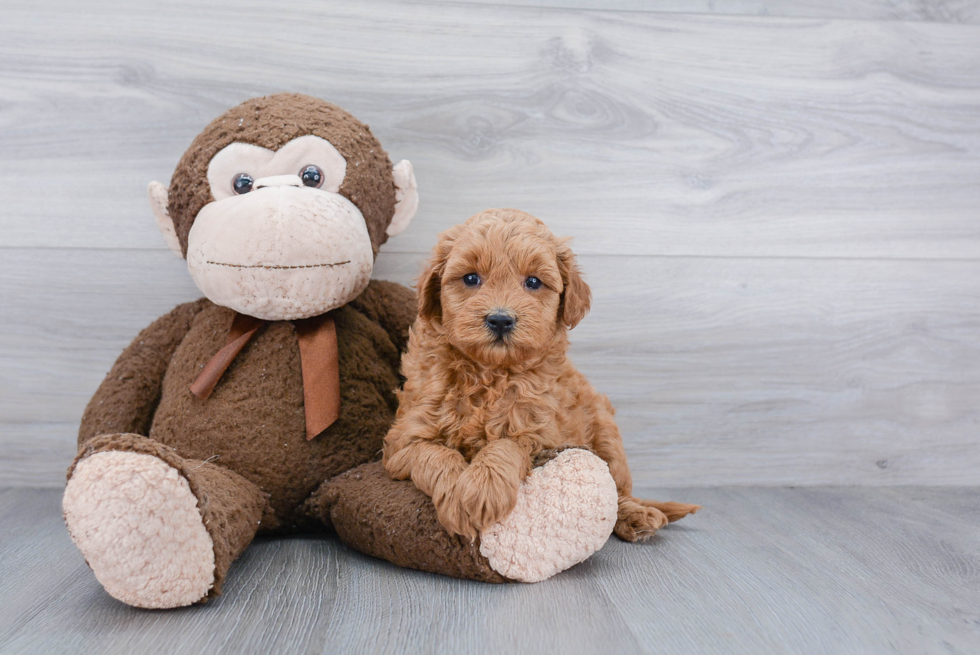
{"x": 127, "y": 399}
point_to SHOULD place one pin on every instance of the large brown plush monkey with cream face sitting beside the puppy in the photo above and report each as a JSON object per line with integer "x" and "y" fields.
{"x": 231, "y": 414}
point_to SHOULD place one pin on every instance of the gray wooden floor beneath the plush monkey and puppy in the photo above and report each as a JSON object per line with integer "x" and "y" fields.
{"x": 816, "y": 570}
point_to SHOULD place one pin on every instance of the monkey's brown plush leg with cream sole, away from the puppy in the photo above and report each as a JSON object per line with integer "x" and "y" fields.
{"x": 158, "y": 530}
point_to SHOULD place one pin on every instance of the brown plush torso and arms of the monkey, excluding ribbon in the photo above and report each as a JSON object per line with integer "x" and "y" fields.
{"x": 254, "y": 421}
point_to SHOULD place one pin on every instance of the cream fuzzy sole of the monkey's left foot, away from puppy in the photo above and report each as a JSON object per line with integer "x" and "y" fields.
{"x": 138, "y": 525}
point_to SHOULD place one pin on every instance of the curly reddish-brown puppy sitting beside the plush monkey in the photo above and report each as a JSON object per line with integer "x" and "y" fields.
{"x": 488, "y": 384}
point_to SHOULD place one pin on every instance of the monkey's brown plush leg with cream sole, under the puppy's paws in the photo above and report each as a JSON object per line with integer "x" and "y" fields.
{"x": 565, "y": 511}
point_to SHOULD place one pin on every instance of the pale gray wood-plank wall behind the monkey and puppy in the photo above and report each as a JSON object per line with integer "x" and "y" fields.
{"x": 777, "y": 203}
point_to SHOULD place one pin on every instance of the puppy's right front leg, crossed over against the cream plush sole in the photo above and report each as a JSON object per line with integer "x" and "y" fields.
{"x": 487, "y": 489}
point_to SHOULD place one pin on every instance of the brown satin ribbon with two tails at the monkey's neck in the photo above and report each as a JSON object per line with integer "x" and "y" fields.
{"x": 319, "y": 360}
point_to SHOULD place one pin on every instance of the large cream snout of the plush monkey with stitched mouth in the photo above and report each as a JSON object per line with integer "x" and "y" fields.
{"x": 281, "y": 251}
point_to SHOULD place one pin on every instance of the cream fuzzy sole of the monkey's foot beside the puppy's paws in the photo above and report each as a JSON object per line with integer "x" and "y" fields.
{"x": 565, "y": 512}
